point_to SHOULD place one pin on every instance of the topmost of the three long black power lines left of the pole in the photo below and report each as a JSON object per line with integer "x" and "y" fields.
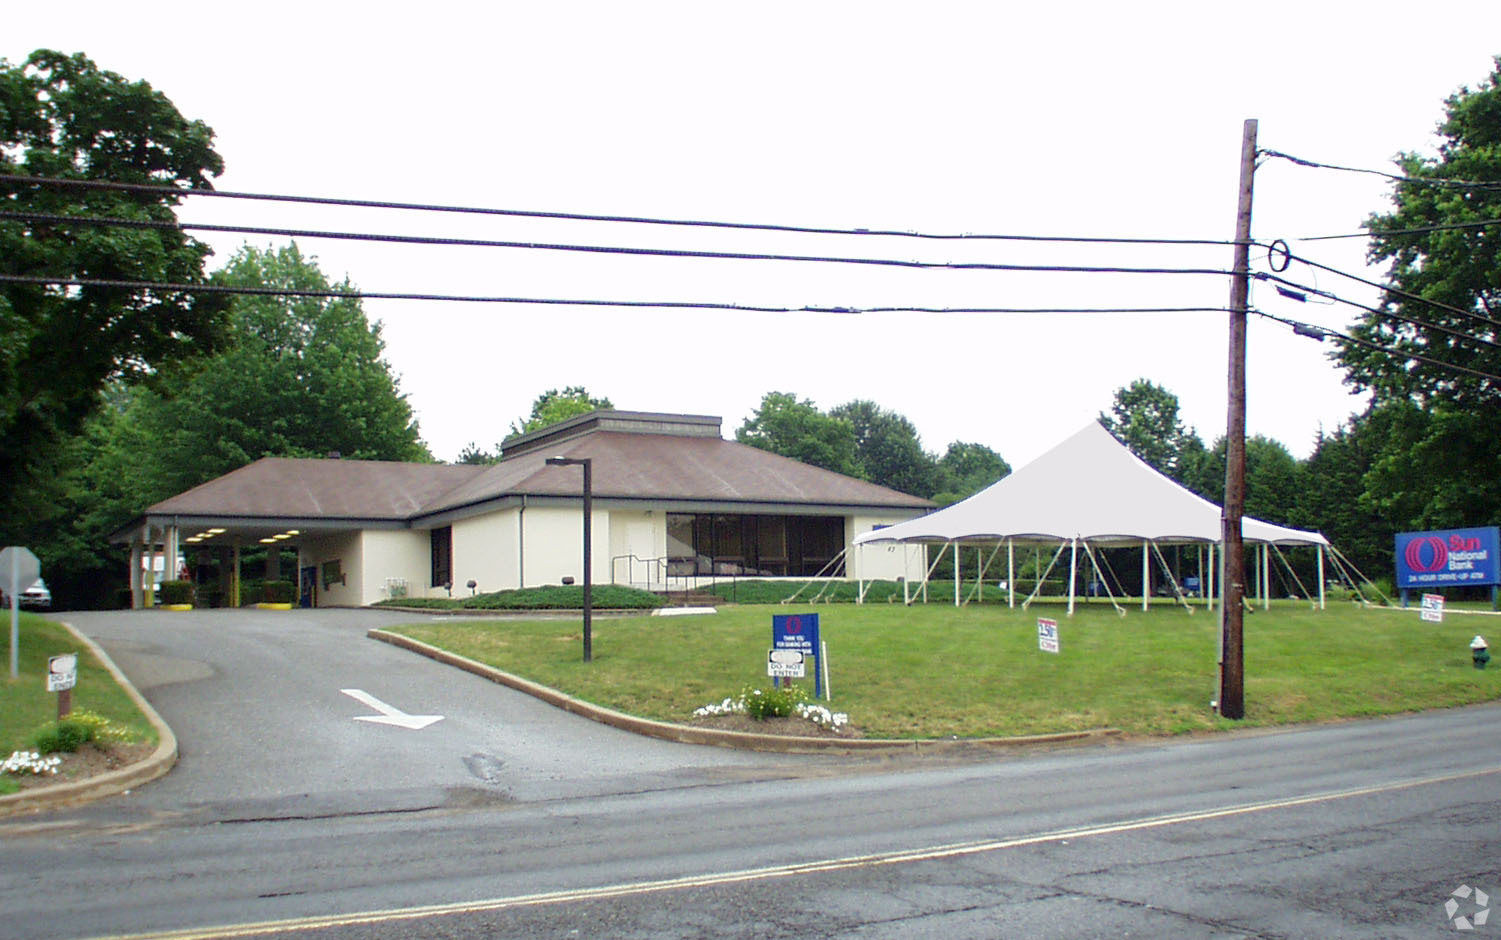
{"x": 577, "y": 217}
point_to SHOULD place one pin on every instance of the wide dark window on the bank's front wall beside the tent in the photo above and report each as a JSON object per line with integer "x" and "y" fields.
{"x": 756, "y": 546}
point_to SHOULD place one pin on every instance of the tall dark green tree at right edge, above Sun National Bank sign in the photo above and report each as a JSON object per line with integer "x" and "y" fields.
{"x": 1442, "y": 460}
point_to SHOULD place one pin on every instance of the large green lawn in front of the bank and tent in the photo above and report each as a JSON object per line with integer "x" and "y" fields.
{"x": 937, "y": 672}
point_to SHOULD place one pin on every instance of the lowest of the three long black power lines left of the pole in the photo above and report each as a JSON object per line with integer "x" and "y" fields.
{"x": 361, "y": 295}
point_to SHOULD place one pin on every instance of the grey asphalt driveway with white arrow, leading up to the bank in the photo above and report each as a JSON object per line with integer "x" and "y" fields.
{"x": 266, "y": 725}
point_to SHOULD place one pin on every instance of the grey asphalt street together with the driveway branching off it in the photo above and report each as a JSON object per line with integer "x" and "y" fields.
{"x": 577, "y": 831}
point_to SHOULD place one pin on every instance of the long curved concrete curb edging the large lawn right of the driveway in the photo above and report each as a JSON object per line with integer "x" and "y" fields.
{"x": 691, "y": 735}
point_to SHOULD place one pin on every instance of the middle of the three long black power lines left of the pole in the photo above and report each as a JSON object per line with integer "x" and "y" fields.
{"x": 612, "y": 250}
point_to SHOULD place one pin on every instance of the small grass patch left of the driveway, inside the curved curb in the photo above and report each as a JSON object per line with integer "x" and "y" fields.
{"x": 26, "y": 705}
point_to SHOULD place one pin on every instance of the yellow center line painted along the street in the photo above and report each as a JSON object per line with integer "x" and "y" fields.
{"x": 775, "y": 872}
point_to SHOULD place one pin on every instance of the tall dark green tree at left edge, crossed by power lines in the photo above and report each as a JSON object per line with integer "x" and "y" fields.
{"x": 61, "y": 116}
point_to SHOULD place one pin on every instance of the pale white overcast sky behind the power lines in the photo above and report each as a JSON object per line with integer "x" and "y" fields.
{"x": 1084, "y": 119}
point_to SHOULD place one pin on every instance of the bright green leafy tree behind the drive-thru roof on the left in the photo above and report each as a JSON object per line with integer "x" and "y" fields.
{"x": 298, "y": 378}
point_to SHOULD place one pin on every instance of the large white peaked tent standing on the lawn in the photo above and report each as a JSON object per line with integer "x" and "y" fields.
{"x": 1089, "y": 492}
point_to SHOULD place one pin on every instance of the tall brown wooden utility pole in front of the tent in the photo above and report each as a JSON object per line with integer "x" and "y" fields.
{"x": 1233, "y": 649}
